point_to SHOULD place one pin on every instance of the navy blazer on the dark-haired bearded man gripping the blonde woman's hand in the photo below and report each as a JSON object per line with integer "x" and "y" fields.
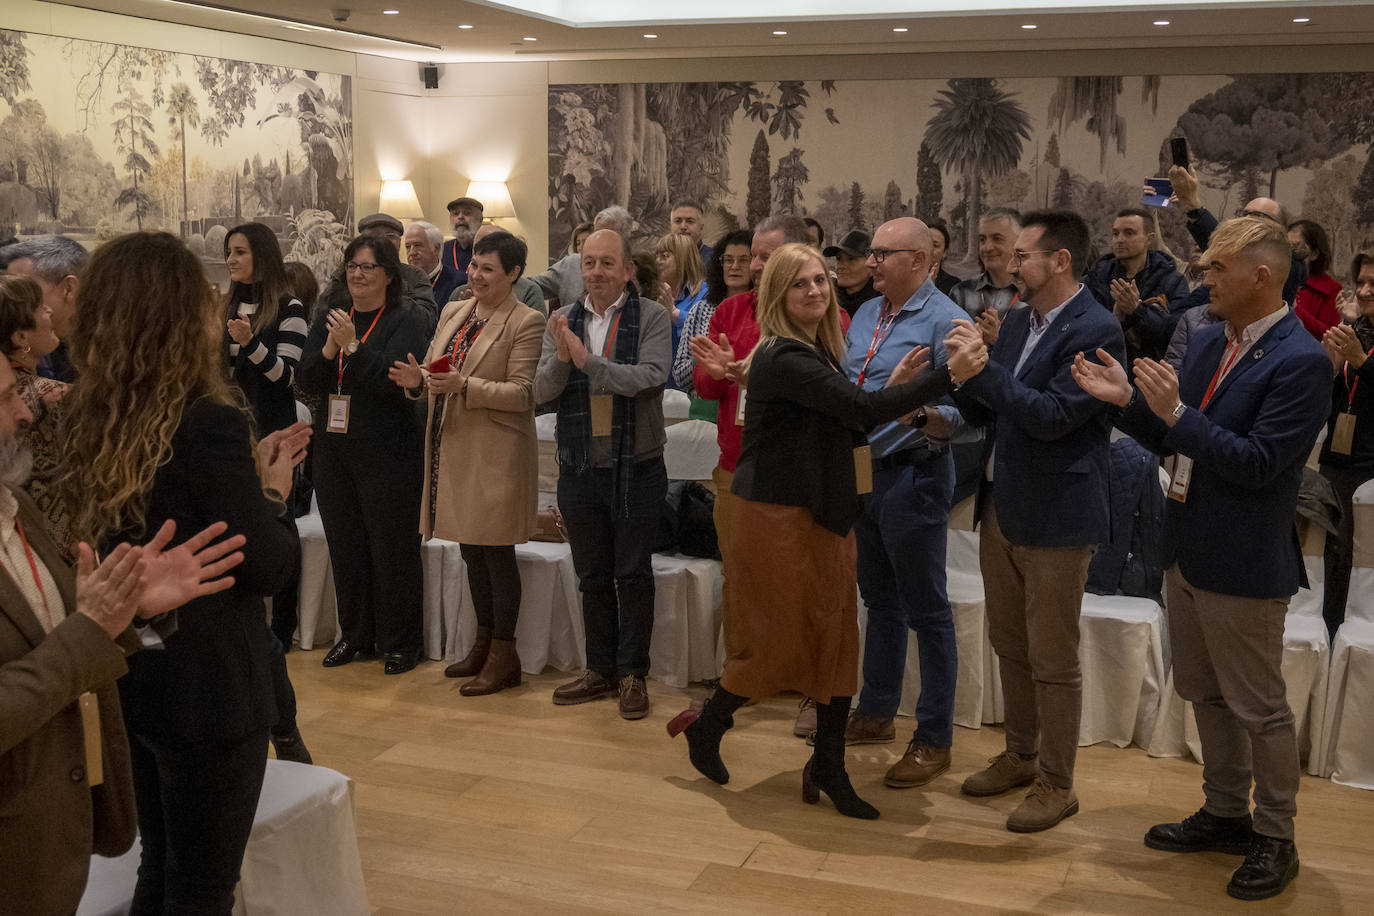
{"x": 1050, "y": 466}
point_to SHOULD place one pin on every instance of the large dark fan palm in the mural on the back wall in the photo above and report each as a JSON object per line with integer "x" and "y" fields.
{"x": 978, "y": 130}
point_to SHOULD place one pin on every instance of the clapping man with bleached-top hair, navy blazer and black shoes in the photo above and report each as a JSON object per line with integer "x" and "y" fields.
{"x": 1241, "y": 415}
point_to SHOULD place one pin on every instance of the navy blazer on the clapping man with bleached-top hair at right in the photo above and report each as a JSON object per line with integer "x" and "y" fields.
{"x": 1237, "y": 532}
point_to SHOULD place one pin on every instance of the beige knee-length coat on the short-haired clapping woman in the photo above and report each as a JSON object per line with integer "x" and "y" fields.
{"x": 488, "y": 463}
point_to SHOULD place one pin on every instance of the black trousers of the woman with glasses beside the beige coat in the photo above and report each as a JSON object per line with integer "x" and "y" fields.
{"x": 370, "y": 506}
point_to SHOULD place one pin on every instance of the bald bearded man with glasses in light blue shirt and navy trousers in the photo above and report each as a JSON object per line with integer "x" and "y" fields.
{"x": 902, "y": 531}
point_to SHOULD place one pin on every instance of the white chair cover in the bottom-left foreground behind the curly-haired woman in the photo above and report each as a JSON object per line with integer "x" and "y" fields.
{"x": 302, "y": 856}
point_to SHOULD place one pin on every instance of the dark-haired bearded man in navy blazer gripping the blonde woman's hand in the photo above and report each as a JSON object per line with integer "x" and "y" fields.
{"x": 1044, "y": 506}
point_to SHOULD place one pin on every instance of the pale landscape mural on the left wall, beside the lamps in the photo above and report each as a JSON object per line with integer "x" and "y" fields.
{"x": 100, "y": 139}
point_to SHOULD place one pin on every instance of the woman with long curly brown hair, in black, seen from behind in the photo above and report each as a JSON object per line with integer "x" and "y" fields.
{"x": 155, "y": 433}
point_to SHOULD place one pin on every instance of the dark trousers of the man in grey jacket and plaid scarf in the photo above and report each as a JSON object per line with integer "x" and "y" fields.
{"x": 613, "y": 557}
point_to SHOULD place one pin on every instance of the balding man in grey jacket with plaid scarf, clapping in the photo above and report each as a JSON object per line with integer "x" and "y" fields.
{"x": 605, "y": 365}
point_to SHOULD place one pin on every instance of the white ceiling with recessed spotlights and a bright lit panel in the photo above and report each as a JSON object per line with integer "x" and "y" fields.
{"x": 499, "y": 32}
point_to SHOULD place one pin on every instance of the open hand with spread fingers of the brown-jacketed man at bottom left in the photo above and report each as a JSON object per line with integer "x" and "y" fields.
{"x": 193, "y": 569}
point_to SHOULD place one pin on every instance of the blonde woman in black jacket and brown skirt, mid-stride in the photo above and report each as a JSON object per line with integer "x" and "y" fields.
{"x": 792, "y": 571}
